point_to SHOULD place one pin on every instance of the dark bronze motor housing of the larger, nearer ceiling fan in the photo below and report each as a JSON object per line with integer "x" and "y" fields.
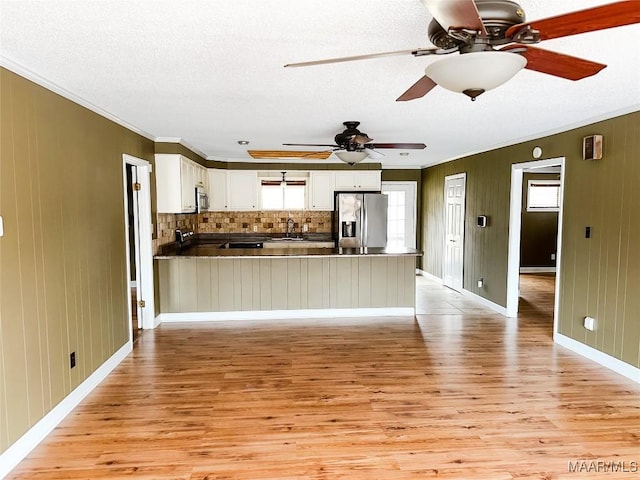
{"x": 497, "y": 16}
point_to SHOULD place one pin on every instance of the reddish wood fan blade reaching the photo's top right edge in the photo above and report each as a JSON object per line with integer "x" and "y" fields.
{"x": 598, "y": 18}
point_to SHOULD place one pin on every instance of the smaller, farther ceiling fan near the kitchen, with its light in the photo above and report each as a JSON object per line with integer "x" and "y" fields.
{"x": 352, "y": 146}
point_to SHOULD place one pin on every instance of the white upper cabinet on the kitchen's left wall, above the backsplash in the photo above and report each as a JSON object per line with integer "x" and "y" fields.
{"x": 176, "y": 178}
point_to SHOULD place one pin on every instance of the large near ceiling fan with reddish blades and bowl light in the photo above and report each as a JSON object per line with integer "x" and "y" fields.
{"x": 494, "y": 42}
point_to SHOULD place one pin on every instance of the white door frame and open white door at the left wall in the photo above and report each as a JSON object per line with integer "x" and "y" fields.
{"x": 144, "y": 244}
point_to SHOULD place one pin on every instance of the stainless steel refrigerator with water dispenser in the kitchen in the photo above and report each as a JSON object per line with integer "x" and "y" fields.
{"x": 360, "y": 219}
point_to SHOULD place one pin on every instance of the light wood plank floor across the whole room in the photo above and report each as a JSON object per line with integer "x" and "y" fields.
{"x": 459, "y": 392}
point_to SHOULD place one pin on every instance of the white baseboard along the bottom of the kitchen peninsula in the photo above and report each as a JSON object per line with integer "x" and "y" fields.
{"x": 285, "y": 314}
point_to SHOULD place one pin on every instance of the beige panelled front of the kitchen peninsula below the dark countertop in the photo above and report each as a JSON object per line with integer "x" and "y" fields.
{"x": 226, "y": 285}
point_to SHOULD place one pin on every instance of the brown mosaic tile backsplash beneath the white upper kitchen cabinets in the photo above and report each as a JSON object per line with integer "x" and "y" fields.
{"x": 271, "y": 221}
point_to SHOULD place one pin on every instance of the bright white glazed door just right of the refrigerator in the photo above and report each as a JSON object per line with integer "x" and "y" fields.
{"x": 401, "y": 213}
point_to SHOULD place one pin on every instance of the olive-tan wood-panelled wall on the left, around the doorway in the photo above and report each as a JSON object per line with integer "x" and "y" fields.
{"x": 63, "y": 284}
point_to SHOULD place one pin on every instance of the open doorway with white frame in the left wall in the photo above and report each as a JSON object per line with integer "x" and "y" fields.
{"x": 139, "y": 251}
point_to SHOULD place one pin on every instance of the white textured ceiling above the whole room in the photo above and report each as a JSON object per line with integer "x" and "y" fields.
{"x": 210, "y": 73}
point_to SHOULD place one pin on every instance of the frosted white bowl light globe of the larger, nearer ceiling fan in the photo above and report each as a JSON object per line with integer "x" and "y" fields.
{"x": 475, "y": 71}
